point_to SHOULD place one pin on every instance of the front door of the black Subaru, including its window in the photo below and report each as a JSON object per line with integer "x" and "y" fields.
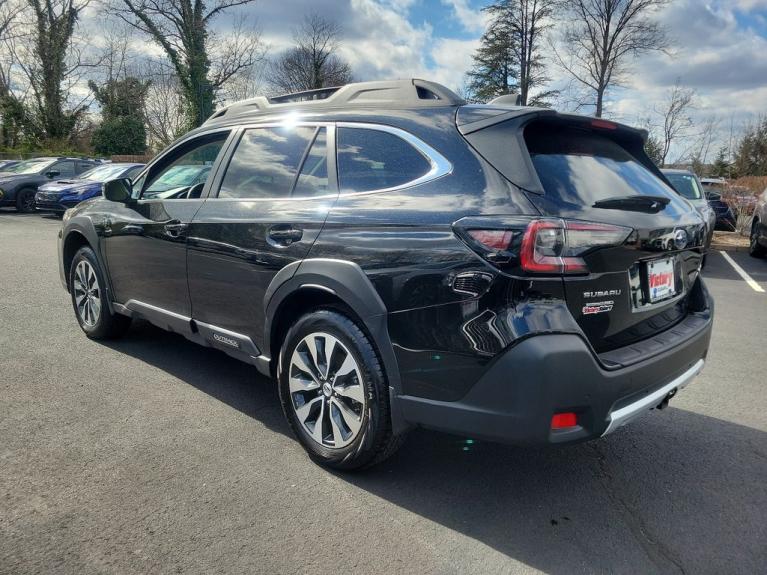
{"x": 146, "y": 239}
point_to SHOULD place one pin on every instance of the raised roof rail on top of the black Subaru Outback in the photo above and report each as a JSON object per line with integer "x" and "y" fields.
{"x": 412, "y": 93}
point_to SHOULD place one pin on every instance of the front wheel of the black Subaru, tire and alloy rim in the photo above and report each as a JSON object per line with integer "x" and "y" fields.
{"x": 86, "y": 287}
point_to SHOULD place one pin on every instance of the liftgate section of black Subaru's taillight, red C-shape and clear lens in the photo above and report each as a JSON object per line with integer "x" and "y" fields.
{"x": 556, "y": 246}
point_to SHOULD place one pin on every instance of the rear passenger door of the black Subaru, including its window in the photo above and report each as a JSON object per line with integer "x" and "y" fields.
{"x": 264, "y": 212}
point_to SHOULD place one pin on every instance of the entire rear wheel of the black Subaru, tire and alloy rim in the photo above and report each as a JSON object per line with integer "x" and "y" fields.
{"x": 348, "y": 394}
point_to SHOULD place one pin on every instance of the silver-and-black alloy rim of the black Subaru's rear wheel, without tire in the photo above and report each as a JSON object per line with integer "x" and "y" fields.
{"x": 326, "y": 390}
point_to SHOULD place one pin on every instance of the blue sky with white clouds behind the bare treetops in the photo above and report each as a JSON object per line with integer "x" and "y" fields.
{"x": 720, "y": 49}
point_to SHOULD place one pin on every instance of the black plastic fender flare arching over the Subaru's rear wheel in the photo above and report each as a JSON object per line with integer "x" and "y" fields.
{"x": 347, "y": 281}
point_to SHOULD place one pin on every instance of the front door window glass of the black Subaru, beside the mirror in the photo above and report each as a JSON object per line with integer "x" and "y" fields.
{"x": 184, "y": 172}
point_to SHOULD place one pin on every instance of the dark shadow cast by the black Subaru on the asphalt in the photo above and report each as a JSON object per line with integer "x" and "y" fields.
{"x": 674, "y": 492}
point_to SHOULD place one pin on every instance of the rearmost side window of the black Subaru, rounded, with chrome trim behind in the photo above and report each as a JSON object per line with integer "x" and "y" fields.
{"x": 374, "y": 160}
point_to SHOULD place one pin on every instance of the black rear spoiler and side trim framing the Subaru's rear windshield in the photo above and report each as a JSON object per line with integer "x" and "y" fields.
{"x": 497, "y": 134}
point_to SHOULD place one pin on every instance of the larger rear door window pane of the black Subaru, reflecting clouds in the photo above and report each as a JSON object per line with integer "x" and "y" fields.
{"x": 266, "y": 162}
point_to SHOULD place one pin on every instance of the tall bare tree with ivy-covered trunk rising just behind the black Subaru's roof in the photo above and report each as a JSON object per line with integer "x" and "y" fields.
{"x": 182, "y": 29}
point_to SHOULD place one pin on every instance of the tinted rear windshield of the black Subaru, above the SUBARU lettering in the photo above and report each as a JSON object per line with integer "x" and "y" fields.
{"x": 581, "y": 167}
